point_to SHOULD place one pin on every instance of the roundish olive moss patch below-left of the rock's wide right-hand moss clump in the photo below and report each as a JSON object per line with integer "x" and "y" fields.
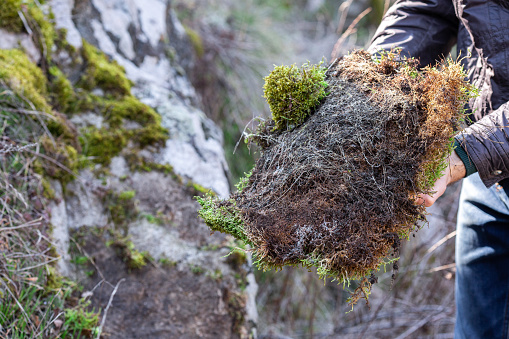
{"x": 102, "y": 144}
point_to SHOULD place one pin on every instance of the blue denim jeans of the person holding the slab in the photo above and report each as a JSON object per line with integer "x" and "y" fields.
{"x": 482, "y": 261}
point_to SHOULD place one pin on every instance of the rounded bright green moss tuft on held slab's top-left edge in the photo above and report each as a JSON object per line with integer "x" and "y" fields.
{"x": 292, "y": 93}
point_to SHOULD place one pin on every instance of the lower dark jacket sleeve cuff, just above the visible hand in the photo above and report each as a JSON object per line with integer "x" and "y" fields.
{"x": 487, "y": 145}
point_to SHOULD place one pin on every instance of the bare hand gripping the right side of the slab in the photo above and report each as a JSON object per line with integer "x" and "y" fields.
{"x": 455, "y": 171}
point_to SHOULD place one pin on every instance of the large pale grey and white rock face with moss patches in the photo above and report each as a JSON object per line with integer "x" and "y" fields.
{"x": 187, "y": 287}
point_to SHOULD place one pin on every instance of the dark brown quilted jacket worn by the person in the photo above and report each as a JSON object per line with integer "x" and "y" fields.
{"x": 427, "y": 29}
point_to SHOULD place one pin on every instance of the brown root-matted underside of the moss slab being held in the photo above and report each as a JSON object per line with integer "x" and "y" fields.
{"x": 336, "y": 192}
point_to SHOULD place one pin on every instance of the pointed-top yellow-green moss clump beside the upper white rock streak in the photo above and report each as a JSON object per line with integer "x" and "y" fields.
{"x": 103, "y": 73}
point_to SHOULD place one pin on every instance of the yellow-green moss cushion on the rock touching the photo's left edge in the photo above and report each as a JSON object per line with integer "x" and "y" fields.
{"x": 24, "y": 77}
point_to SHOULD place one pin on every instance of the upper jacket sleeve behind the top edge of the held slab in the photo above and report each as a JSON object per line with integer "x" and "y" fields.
{"x": 425, "y": 29}
